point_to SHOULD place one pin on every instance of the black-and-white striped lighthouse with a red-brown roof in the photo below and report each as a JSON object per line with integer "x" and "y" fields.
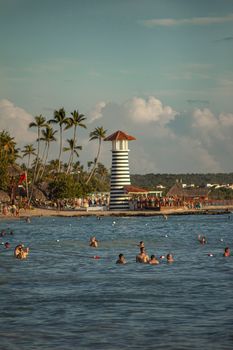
{"x": 120, "y": 176}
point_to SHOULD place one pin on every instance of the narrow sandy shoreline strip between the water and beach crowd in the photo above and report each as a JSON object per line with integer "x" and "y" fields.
{"x": 39, "y": 212}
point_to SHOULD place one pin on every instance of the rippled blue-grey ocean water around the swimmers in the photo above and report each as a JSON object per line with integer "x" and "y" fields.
{"x": 63, "y": 298}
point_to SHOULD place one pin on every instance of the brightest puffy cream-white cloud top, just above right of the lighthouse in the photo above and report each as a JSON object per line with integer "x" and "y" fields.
{"x": 151, "y": 110}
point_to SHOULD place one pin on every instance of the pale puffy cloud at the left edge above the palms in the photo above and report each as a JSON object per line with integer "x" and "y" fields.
{"x": 15, "y": 120}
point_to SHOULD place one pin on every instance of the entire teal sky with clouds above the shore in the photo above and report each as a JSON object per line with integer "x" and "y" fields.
{"x": 159, "y": 70}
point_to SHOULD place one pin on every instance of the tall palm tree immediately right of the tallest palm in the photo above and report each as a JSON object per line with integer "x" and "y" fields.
{"x": 75, "y": 121}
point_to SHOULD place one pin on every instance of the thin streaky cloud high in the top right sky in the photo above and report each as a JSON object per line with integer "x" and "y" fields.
{"x": 169, "y": 22}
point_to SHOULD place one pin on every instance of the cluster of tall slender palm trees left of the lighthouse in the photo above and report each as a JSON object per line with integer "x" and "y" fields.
{"x": 46, "y": 135}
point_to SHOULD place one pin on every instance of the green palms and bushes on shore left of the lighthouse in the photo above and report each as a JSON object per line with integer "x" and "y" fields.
{"x": 60, "y": 179}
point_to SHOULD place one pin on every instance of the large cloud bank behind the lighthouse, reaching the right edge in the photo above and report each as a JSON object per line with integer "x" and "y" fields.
{"x": 167, "y": 141}
